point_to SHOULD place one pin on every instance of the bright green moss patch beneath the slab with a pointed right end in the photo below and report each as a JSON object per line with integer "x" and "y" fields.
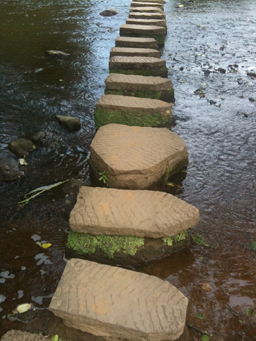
{"x": 84, "y": 243}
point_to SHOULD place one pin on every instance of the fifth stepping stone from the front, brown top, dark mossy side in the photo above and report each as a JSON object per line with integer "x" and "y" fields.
{"x": 140, "y": 86}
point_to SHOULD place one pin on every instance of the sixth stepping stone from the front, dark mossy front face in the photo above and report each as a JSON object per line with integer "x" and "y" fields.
{"x": 145, "y": 66}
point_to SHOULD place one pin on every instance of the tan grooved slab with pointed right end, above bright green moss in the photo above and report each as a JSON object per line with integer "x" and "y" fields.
{"x": 131, "y": 213}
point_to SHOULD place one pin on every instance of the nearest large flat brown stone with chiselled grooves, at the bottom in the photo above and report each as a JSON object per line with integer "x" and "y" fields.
{"x": 118, "y": 303}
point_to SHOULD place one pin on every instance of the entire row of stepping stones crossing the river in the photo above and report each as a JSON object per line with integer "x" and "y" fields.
{"x": 126, "y": 220}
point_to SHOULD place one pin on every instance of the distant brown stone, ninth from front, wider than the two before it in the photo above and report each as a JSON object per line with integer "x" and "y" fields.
{"x": 142, "y": 30}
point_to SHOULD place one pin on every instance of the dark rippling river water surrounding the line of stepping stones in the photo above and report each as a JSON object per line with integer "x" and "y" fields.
{"x": 209, "y": 49}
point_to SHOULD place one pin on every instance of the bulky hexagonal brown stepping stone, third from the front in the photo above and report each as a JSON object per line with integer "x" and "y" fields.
{"x": 136, "y": 157}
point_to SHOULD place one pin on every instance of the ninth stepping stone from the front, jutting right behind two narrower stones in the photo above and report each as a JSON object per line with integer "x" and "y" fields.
{"x": 146, "y": 31}
